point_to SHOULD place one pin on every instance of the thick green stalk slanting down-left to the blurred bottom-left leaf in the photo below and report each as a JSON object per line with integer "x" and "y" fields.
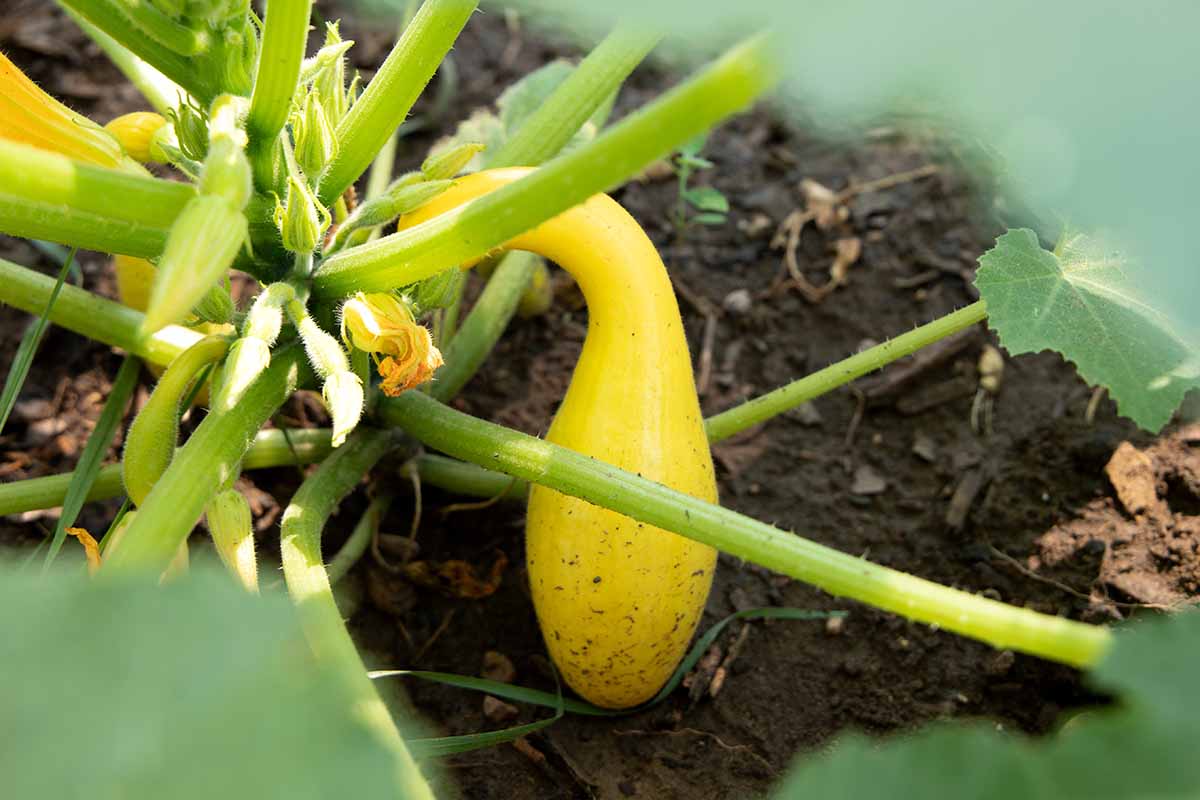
{"x": 201, "y": 468}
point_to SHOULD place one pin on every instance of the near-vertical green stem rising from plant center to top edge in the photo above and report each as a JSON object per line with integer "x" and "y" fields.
{"x": 285, "y": 38}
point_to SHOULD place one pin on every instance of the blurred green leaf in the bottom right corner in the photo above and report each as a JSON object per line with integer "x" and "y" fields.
{"x": 1142, "y": 747}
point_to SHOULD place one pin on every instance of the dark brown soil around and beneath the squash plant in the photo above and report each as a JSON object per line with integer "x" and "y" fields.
{"x": 893, "y": 472}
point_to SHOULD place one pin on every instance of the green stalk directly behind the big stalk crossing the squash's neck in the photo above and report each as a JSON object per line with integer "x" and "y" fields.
{"x": 548, "y": 130}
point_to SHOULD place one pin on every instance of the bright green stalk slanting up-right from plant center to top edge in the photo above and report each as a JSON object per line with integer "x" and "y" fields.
{"x": 391, "y": 95}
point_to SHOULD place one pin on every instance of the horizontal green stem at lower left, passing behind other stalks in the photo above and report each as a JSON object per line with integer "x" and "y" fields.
{"x": 269, "y": 449}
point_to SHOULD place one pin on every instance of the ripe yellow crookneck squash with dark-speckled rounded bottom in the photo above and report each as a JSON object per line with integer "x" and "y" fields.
{"x": 619, "y": 601}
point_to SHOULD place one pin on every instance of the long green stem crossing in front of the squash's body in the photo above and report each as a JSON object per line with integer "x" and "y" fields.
{"x": 839, "y": 574}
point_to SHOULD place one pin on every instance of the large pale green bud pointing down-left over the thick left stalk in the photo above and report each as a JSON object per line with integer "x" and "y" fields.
{"x": 202, "y": 245}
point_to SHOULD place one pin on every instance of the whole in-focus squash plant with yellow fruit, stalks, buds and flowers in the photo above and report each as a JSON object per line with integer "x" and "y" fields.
{"x": 268, "y": 143}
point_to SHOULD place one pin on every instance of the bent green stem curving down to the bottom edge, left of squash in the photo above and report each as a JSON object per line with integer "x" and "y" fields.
{"x": 304, "y": 569}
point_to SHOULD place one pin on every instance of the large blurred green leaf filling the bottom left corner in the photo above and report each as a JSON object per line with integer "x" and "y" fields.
{"x": 195, "y": 690}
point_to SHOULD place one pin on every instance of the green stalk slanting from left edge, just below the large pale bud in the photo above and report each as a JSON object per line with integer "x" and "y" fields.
{"x": 92, "y": 316}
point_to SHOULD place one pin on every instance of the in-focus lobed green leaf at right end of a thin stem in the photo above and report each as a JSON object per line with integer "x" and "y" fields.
{"x": 1085, "y": 303}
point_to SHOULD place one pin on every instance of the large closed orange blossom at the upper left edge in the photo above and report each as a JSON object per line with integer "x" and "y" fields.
{"x": 32, "y": 117}
